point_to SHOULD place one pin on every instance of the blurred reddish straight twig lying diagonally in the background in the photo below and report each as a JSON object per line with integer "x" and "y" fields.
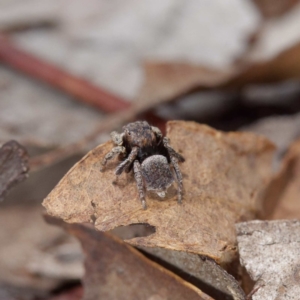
{"x": 37, "y": 68}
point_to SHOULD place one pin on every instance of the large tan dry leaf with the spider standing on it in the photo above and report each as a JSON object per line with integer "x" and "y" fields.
{"x": 224, "y": 180}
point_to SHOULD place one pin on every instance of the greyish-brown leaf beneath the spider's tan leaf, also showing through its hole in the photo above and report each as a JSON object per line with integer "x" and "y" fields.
{"x": 198, "y": 270}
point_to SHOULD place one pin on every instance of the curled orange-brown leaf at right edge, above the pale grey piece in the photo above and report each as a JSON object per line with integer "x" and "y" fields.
{"x": 282, "y": 199}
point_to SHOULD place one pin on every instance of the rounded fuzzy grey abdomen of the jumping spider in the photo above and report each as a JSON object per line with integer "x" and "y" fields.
{"x": 156, "y": 173}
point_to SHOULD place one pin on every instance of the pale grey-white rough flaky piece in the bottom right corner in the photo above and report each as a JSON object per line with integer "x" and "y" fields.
{"x": 270, "y": 253}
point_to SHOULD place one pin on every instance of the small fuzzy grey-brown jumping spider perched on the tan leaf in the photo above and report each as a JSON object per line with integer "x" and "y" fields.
{"x": 144, "y": 149}
